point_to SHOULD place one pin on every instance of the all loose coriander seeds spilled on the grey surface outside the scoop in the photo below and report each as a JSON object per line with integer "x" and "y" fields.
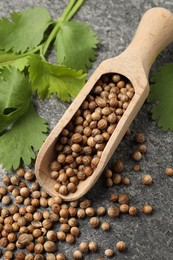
{"x": 35, "y": 226}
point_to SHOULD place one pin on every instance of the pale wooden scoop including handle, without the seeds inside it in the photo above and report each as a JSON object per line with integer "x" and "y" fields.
{"x": 154, "y": 33}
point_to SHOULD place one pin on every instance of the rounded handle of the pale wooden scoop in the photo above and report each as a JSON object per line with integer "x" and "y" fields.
{"x": 154, "y": 33}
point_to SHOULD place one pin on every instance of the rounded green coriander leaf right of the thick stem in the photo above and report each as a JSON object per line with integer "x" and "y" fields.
{"x": 75, "y": 45}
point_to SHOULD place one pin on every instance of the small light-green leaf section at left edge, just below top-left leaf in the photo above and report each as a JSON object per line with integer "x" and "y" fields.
{"x": 11, "y": 59}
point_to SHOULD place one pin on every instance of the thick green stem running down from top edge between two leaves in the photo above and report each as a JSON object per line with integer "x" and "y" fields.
{"x": 68, "y": 13}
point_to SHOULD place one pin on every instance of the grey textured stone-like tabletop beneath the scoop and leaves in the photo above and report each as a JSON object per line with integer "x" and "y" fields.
{"x": 147, "y": 237}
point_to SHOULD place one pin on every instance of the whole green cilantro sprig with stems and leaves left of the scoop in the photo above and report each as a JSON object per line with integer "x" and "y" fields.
{"x": 25, "y": 38}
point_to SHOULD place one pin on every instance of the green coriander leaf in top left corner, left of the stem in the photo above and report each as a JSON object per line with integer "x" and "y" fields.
{"x": 24, "y": 30}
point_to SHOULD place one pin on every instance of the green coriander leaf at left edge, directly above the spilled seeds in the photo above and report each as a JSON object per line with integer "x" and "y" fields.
{"x": 22, "y": 141}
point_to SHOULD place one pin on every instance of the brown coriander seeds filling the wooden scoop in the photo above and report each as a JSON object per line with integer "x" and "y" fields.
{"x": 81, "y": 143}
